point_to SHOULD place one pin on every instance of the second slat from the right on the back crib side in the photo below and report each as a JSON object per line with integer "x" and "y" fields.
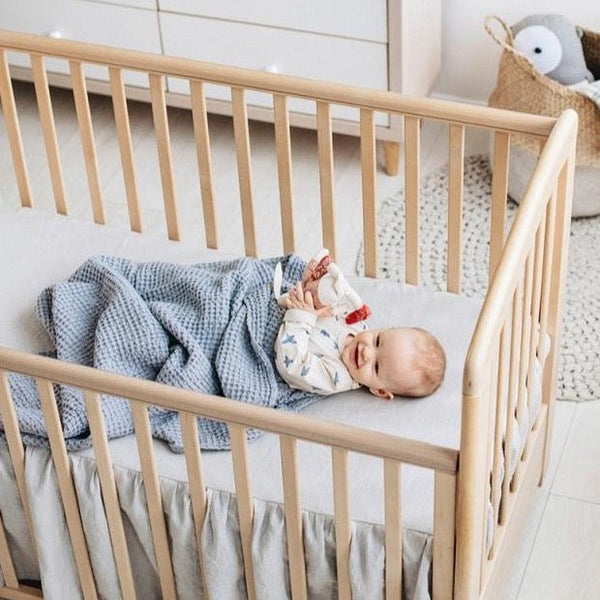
{"x": 456, "y": 153}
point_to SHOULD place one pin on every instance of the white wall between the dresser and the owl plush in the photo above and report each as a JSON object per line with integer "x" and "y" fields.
{"x": 470, "y": 57}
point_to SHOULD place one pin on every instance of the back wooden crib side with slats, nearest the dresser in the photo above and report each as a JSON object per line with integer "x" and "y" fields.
{"x": 210, "y": 227}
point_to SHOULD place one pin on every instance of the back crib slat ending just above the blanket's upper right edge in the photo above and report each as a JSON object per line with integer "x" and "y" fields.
{"x": 284, "y": 170}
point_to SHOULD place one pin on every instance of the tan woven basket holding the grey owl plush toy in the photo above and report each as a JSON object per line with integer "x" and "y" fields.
{"x": 522, "y": 87}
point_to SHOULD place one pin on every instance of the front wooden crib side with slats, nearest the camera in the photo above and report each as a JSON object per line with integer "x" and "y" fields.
{"x": 342, "y": 441}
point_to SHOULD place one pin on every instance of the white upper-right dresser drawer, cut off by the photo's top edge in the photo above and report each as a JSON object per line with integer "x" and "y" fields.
{"x": 360, "y": 19}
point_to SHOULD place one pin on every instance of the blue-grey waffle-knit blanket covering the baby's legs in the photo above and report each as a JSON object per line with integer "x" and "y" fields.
{"x": 209, "y": 327}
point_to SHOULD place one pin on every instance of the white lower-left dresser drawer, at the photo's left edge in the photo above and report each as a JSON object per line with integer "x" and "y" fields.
{"x": 94, "y": 22}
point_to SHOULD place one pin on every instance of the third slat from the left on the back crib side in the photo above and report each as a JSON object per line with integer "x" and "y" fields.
{"x": 82, "y": 107}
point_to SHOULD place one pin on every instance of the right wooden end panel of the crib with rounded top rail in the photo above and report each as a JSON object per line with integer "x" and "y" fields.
{"x": 510, "y": 372}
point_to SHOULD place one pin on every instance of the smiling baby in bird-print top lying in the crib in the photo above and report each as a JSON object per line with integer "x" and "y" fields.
{"x": 323, "y": 352}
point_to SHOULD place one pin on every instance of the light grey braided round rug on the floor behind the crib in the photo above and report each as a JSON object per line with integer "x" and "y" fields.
{"x": 579, "y": 364}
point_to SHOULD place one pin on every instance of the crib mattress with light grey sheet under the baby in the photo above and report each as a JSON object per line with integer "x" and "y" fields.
{"x": 37, "y": 250}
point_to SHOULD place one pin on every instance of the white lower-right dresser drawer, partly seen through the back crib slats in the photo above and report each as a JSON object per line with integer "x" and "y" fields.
{"x": 315, "y": 56}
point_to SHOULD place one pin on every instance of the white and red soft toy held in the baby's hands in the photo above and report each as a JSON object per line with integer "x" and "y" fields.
{"x": 329, "y": 287}
